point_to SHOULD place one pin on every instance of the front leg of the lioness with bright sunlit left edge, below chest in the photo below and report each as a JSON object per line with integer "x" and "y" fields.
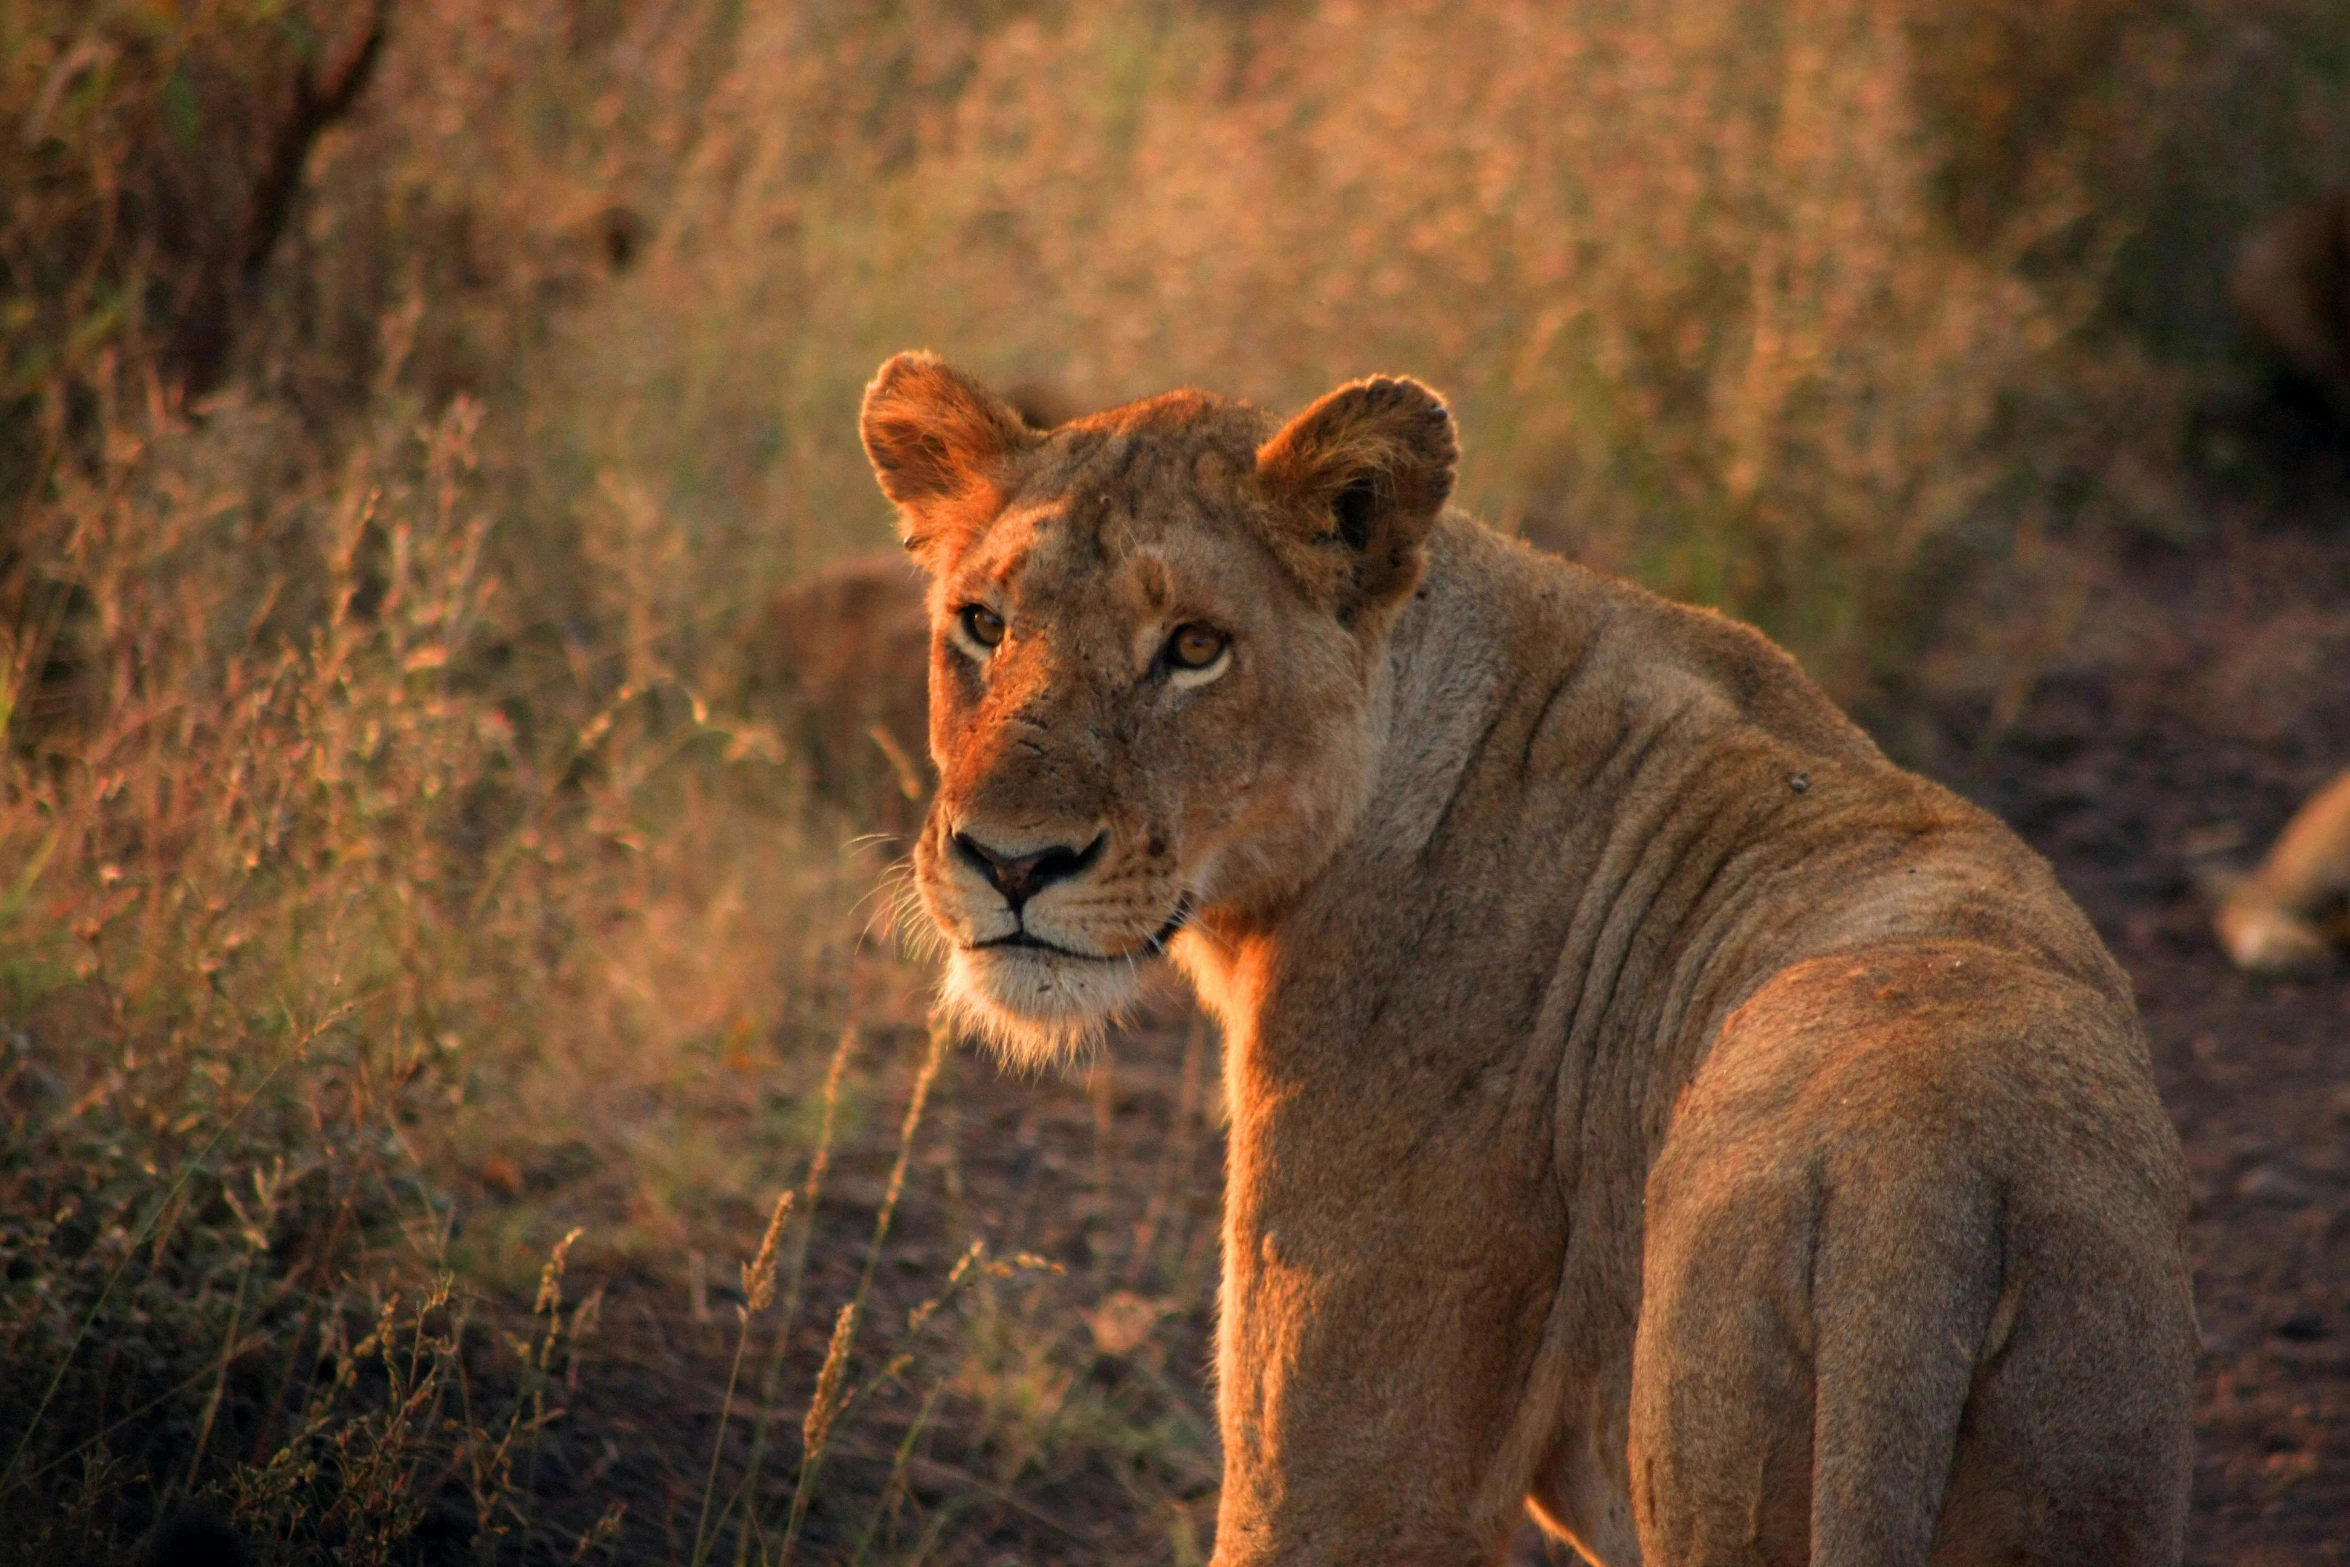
{"x": 1376, "y": 1350}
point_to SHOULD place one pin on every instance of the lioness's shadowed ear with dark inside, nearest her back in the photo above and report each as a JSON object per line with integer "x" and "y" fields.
{"x": 1362, "y": 478}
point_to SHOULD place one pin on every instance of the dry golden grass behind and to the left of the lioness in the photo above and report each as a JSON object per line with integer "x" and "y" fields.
{"x": 422, "y": 967}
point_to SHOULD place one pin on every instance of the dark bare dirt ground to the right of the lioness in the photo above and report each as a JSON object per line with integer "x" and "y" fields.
{"x": 2187, "y": 751}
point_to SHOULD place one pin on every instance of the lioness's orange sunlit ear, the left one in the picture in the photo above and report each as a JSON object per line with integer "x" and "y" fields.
{"x": 939, "y": 443}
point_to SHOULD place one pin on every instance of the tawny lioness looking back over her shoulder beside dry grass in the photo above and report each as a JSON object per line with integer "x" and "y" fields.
{"x": 1649, "y": 1103}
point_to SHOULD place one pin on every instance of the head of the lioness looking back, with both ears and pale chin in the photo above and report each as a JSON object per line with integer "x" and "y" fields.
{"x": 1155, "y": 668}
